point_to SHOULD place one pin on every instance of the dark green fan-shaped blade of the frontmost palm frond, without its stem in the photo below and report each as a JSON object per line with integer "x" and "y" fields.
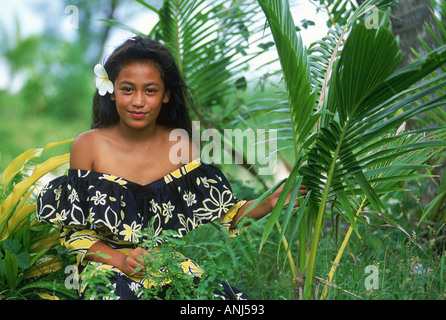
{"x": 342, "y": 146}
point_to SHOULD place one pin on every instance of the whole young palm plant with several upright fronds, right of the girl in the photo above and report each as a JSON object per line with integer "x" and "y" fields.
{"x": 348, "y": 151}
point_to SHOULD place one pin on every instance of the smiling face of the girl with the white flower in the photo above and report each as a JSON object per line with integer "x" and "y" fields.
{"x": 139, "y": 94}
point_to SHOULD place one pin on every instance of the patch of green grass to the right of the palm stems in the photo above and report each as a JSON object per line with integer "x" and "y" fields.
{"x": 404, "y": 271}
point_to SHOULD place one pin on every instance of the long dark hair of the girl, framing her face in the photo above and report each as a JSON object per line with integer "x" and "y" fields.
{"x": 173, "y": 114}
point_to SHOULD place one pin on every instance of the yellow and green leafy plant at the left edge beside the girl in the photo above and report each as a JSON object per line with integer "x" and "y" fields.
{"x": 23, "y": 244}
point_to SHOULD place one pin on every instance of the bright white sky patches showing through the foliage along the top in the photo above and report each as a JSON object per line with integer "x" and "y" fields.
{"x": 33, "y": 21}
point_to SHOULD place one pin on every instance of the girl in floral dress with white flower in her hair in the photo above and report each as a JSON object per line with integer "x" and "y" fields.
{"x": 121, "y": 177}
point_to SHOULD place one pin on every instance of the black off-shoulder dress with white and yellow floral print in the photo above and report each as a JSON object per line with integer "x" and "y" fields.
{"x": 91, "y": 206}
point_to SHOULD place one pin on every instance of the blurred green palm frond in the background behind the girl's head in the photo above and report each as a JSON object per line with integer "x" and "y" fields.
{"x": 208, "y": 40}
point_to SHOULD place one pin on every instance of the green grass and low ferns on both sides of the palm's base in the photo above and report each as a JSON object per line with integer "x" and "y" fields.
{"x": 404, "y": 271}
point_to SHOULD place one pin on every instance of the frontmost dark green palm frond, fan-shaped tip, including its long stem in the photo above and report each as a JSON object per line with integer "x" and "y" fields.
{"x": 367, "y": 63}
